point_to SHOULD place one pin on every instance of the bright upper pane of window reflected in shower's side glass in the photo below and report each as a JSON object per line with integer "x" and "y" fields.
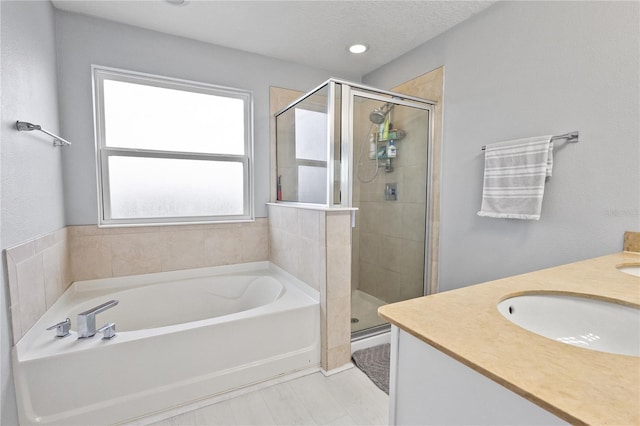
{"x": 311, "y": 135}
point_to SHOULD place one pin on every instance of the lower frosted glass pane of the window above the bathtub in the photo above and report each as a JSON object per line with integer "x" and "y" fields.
{"x": 159, "y": 187}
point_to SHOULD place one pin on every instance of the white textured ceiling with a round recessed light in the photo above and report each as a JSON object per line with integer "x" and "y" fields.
{"x": 314, "y": 33}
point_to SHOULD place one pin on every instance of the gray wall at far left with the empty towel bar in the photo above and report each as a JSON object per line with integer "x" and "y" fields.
{"x": 32, "y": 197}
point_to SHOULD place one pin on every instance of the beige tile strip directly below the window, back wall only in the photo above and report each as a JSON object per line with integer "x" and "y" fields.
{"x": 114, "y": 252}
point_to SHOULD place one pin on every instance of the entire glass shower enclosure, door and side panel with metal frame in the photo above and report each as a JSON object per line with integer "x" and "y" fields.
{"x": 344, "y": 144}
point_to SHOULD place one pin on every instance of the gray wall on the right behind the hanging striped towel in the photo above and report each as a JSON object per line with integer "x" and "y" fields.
{"x": 524, "y": 69}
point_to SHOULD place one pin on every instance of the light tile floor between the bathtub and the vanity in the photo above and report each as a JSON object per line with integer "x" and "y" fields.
{"x": 345, "y": 398}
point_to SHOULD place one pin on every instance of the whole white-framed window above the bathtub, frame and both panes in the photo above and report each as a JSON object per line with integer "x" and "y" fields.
{"x": 171, "y": 151}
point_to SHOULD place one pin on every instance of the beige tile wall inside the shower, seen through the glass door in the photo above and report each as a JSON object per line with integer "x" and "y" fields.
{"x": 391, "y": 234}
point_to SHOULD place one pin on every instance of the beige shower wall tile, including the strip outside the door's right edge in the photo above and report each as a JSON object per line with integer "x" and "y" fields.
{"x": 381, "y": 225}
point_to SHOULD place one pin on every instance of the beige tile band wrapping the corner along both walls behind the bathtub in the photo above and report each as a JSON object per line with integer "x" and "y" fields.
{"x": 39, "y": 271}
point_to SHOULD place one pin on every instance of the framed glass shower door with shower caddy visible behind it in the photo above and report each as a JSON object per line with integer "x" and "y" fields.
{"x": 389, "y": 187}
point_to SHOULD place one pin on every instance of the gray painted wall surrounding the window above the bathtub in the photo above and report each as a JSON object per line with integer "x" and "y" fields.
{"x": 83, "y": 41}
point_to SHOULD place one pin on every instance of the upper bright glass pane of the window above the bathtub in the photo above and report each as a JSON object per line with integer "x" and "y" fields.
{"x": 148, "y": 117}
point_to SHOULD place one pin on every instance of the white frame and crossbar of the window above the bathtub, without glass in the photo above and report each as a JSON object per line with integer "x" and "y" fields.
{"x": 103, "y": 152}
